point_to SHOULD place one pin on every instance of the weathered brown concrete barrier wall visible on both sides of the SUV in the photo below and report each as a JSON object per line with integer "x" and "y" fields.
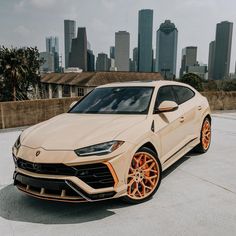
{"x": 24, "y": 113}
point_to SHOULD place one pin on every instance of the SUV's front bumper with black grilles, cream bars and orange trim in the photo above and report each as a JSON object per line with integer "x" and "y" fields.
{"x": 74, "y": 183}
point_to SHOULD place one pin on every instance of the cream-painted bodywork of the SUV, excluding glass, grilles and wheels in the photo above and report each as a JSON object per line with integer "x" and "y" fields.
{"x": 57, "y": 138}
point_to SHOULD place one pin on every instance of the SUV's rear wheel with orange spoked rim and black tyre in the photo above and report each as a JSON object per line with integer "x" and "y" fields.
{"x": 205, "y": 138}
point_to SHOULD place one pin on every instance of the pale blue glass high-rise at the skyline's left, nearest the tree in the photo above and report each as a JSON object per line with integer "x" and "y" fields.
{"x": 52, "y": 46}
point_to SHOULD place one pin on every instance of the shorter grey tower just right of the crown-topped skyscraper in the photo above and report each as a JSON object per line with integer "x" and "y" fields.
{"x": 189, "y": 58}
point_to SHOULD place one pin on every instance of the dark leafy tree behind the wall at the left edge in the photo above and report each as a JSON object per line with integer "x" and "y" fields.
{"x": 19, "y": 72}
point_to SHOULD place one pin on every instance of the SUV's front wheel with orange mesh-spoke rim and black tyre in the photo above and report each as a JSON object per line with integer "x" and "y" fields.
{"x": 144, "y": 176}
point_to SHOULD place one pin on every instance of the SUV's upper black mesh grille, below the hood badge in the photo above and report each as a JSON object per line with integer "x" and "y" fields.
{"x": 95, "y": 175}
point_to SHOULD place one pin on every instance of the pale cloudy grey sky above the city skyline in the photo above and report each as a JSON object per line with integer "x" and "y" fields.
{"x": 29, "y": 22}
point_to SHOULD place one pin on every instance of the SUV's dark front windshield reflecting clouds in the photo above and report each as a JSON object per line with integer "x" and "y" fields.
{"x": 116, "y": 100}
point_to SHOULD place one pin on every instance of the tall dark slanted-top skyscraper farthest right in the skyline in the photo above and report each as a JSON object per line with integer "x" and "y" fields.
{"x": 223, "y": 42}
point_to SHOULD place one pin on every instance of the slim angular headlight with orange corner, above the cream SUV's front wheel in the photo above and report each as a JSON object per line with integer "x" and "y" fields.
{"x": 99, "y": 149}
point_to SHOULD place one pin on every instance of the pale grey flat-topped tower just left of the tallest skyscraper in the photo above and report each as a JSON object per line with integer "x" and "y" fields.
{"x": 122, "y": 47}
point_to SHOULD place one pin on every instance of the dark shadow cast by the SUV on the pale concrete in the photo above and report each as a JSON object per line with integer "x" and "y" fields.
{"x": 17, "y": 206}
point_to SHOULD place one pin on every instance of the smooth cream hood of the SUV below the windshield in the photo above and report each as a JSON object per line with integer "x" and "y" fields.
{"x": 71, "y": 131}
